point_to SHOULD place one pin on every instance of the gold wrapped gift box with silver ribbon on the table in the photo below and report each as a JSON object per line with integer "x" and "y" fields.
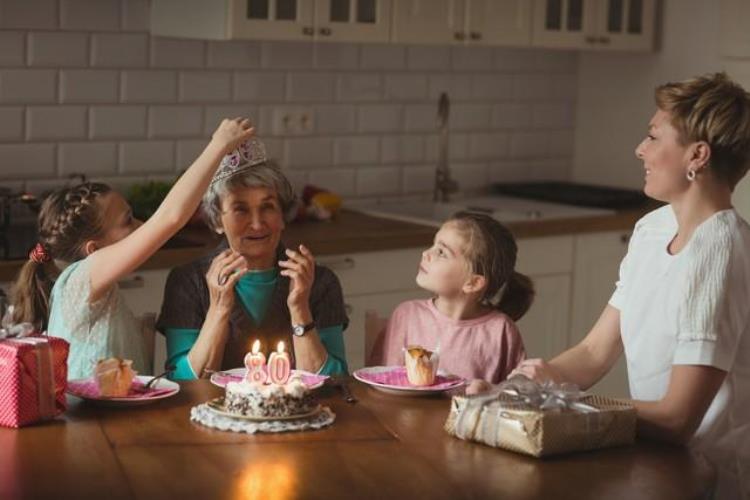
{"x": 504, "y": 422}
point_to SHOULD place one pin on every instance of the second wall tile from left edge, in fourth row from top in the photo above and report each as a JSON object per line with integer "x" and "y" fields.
{"x": 56, "y": 122}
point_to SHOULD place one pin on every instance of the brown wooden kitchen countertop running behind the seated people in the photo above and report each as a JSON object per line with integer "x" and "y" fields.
{"x": 353, "y": 232}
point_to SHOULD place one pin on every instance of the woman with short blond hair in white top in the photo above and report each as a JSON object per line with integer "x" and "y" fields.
{"x": 681, "y": 308}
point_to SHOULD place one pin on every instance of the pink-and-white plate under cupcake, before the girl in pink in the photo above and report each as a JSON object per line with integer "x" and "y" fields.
{"x": 392, "y": 379}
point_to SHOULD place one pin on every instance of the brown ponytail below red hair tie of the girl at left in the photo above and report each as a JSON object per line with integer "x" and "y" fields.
{"x": 30, "y": 294}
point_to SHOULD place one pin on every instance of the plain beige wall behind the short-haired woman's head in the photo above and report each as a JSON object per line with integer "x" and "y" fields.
{"x": 615, "y": 93}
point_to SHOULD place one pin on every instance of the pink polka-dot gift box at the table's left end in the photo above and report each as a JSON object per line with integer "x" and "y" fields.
{"x": 33, "y": 379}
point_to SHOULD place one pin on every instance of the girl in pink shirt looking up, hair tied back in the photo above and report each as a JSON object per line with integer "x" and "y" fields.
{"x": 477, "y": 297}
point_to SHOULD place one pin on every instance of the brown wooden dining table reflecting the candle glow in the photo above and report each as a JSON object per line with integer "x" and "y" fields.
{"x": 382, "y": 447}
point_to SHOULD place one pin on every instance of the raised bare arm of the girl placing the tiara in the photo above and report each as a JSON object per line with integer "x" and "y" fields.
{"x": 114, "y": 261}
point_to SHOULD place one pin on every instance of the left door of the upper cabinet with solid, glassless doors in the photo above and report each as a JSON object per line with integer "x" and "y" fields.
{"x": 428, "y": 21}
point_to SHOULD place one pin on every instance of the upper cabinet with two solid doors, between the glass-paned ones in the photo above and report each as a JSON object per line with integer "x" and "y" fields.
{"x": 471, "y": 22}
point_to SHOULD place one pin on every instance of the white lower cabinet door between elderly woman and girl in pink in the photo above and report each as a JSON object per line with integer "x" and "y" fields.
{"x": 357, "y": 348}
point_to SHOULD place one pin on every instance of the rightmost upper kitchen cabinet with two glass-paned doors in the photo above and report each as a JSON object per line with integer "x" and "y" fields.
{"x": 594, "y": 24}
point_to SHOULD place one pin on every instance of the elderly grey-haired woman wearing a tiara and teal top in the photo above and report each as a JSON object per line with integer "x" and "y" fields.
{"x": 251, "y": 287}
